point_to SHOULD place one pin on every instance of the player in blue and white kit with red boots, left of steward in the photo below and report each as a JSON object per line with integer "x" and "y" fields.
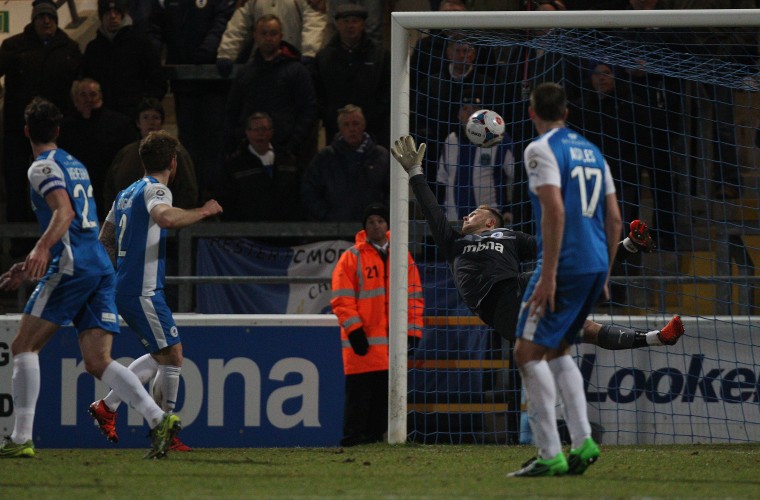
{"x": 134, "y": 235}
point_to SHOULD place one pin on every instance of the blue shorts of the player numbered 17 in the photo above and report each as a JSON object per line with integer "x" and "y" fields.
{"x": 576, "y": 295}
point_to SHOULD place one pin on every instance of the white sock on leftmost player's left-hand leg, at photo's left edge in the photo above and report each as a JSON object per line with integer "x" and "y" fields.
{"x": 26, "y": 389}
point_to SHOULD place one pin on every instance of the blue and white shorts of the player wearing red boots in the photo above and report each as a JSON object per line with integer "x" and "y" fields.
{"x": 150, "y": 318}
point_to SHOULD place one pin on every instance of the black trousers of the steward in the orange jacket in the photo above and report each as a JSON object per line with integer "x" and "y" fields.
{"x": 365, "y": 413}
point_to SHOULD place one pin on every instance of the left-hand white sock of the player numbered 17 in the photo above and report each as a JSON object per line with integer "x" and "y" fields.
{"x": 541, "y": 395}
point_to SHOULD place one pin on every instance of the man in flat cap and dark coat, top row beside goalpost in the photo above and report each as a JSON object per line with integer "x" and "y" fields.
{"x": 352, "y": 69}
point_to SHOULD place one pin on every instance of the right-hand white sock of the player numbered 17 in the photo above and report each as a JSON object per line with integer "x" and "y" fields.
{"x": 569, "y": 383}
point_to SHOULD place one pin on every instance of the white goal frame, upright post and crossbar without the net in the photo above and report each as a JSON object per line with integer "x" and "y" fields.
{"x": 401, "y": 24}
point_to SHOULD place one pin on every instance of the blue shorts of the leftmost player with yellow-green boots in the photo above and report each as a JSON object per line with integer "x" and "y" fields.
{"x": 86, "y": 301}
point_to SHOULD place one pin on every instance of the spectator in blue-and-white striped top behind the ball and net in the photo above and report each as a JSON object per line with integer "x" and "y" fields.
{"x": 470, "y": 176}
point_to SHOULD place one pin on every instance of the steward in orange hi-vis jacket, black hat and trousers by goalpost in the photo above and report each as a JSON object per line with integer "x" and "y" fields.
{"x": 360, "y": 301}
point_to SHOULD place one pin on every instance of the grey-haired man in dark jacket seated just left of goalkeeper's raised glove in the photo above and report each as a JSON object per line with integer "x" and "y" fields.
{"x": 347, "y": 173}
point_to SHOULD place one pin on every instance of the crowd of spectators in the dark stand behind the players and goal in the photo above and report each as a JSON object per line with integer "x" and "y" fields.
{"x": 300, "y": 63}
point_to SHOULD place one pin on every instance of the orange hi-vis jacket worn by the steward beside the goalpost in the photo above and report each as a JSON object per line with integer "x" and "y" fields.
{"x": 360, "y": 287}
